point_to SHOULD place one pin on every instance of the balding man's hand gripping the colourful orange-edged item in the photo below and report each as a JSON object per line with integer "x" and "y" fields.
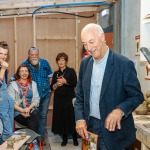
{"x": 81, "y": 128}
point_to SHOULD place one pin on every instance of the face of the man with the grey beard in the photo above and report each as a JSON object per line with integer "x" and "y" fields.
{"x": 34, "y": 57}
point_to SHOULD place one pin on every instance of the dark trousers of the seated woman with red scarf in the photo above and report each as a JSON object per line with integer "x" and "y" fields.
{"x": 31, "y": 122}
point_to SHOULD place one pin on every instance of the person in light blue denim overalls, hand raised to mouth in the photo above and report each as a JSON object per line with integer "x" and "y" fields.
{"x": 6, "y": 103}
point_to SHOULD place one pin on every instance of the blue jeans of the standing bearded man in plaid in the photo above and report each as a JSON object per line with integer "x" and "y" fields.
{"x": 43, "y": 110}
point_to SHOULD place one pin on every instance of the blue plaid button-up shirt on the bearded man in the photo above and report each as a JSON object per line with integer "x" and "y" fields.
{"x": 41, "y": 77}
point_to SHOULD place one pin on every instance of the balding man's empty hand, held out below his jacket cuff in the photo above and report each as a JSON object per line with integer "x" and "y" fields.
{"x": 113, "y": 120}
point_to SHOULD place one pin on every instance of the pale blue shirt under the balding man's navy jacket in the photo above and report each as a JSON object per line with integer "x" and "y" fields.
{"x": 96, "y": 84}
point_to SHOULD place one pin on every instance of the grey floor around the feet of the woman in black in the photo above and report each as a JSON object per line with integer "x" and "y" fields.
{"x": 55, "y": 142}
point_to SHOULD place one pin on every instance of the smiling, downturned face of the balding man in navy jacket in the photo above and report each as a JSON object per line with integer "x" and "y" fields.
{"x": 93, "y": 43}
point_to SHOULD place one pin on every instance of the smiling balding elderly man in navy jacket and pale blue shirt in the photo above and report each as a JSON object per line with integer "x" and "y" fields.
{"x": 107, "y": 93}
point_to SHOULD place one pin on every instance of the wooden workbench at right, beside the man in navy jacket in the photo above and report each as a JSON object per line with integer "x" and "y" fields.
{"x": 142, "y": 124}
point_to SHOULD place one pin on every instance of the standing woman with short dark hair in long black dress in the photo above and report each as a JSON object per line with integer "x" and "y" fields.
{"x": 63, "y": 83}
